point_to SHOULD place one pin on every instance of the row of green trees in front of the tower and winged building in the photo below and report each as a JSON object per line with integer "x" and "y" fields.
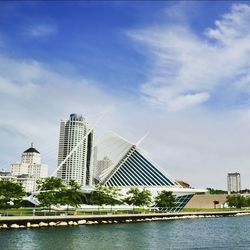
{"x": 55, "y": 192}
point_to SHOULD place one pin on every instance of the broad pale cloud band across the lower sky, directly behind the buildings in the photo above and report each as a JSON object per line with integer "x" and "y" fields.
{"x": 190, "y": 146}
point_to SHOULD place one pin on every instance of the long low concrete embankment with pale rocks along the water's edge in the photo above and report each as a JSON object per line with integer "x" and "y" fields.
{"x": 74, "y": 220}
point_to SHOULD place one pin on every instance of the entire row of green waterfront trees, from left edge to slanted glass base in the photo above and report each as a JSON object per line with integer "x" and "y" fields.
{"x": 54, "y": 192}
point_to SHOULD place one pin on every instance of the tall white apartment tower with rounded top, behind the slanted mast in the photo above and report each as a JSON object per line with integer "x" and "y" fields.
{"x": 79, "y": 166}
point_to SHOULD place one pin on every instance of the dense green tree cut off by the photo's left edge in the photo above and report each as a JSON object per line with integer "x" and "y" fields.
{"x": 11, "y": 194}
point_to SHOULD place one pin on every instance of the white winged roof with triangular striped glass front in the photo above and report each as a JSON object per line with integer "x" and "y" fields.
{"x": 121, "y": 163}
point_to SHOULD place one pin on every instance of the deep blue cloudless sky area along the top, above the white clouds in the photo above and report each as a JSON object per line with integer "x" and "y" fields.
{"x": 90, "y": 37}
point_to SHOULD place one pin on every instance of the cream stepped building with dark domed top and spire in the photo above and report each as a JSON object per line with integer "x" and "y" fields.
{"x": 30, "y": 169}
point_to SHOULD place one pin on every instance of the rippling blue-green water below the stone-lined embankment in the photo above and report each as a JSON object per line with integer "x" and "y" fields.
{"x": 210, "y": 233}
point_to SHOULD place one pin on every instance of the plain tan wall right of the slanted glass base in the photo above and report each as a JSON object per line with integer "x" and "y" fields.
{"x": 206, "y": 201}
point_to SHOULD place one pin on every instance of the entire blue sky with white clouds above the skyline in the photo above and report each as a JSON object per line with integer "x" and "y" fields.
{"x": 177, "y": 71}
